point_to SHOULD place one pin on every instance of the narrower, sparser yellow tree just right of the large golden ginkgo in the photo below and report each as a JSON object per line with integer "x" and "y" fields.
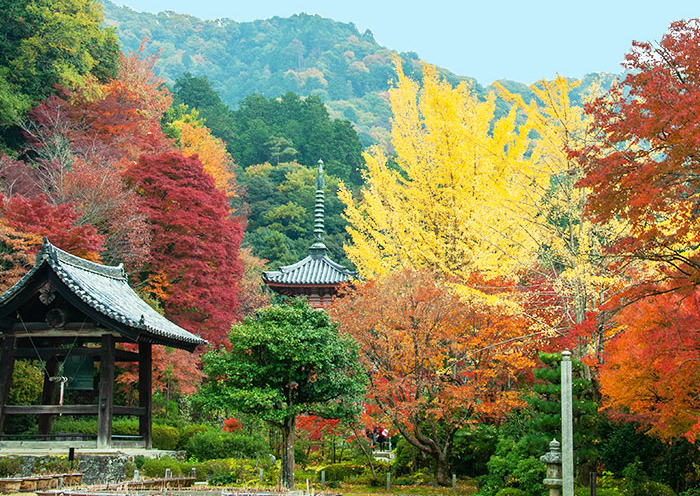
{"x": 572, "y": 252}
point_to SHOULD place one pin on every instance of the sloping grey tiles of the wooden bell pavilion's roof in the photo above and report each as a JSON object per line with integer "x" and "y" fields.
{"x": 106, "y": 290}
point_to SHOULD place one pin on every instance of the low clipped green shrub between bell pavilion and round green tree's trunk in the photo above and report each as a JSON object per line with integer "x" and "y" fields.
{"x": 212, "y": 444}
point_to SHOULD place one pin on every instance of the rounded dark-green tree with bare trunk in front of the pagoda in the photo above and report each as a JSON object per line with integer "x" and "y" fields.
{"x": 285, "y": 360}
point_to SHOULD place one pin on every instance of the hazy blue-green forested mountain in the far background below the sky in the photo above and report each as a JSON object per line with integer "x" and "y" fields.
{"x": 305, "y": 54}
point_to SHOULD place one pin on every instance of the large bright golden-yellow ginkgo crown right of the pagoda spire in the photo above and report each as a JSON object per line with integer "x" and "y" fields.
{"x": 451, "y": 201}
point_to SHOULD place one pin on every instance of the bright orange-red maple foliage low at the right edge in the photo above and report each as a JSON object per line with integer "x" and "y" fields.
{"x": 651, "y": 367}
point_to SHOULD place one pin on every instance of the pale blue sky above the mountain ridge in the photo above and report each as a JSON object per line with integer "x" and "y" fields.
{"x": 509, "y": 39}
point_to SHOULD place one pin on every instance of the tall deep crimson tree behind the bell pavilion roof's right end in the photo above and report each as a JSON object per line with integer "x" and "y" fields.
{"x": 195, "y": 243}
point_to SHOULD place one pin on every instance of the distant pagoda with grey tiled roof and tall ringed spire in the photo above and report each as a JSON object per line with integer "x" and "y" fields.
{"x": 315, "y": 277}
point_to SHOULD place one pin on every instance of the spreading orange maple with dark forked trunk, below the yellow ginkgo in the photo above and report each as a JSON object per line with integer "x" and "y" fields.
{"x": 436, "y": 361}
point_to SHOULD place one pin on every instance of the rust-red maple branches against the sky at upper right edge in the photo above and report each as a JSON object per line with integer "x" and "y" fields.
{"x": 643, "y": 170}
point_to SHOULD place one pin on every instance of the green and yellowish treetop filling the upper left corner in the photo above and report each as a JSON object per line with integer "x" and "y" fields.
{"x": 44, "y": 44}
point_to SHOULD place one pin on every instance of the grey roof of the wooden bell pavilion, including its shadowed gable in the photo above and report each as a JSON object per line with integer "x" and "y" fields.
{"x": 104, "y": 292}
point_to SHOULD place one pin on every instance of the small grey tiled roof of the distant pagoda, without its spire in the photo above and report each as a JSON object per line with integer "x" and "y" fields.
{"x": 314, "y": 270}
